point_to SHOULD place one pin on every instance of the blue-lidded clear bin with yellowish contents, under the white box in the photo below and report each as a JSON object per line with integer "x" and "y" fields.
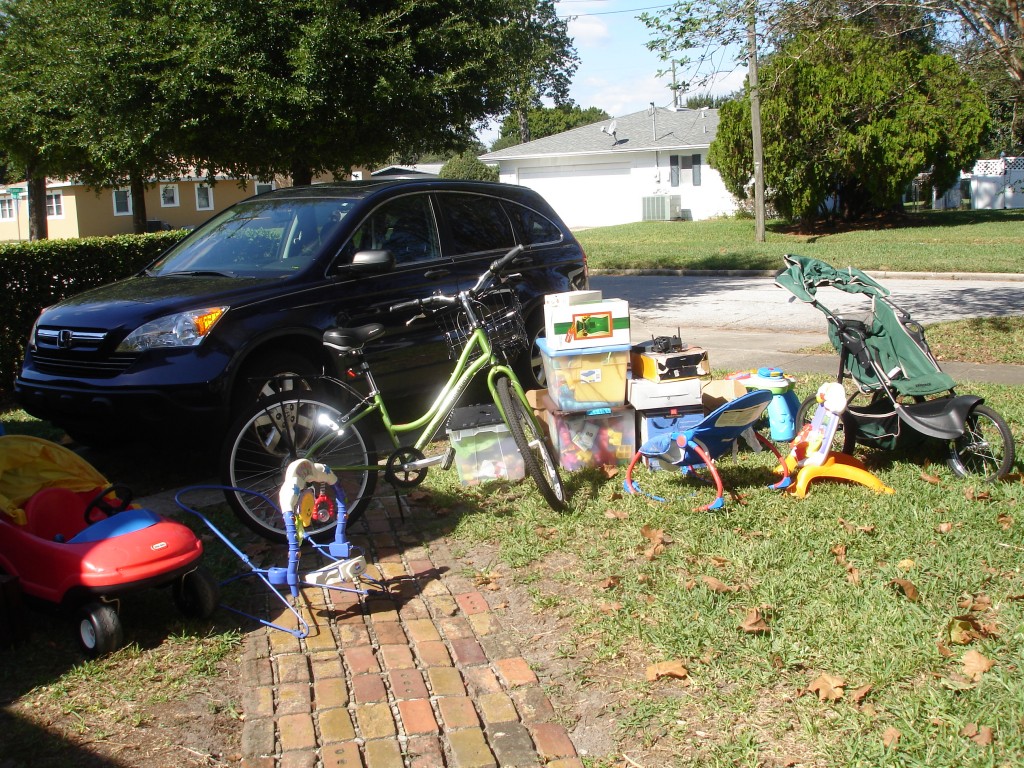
{"x": 586, "y": 379}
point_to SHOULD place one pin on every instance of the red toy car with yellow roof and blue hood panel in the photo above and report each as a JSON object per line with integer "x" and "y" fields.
{"x": 73, "y": 540}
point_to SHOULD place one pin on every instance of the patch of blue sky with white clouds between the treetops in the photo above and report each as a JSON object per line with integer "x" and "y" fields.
{"x": 617, "y": 72}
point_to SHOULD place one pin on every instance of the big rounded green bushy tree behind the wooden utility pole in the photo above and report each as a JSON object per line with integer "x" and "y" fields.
{"x": 849, "y": 121}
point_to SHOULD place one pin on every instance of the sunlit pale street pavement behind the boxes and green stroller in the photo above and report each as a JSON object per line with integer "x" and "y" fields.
{"x": 749, "y": 322}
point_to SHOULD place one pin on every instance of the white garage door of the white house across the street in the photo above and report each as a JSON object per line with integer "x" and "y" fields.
{"x": 586, "y": 196}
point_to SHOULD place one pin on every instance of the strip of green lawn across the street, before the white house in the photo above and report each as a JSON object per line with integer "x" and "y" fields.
{"x": 932, "y": 241}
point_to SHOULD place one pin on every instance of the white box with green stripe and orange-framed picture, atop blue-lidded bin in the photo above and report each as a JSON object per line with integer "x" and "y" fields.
{"x": 571, "y": 324}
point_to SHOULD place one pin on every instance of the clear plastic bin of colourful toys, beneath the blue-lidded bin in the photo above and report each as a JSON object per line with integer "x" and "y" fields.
{"x": 593, "y": 439}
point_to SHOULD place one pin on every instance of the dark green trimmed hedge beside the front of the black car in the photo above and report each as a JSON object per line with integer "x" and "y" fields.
{"x": 39, "y": 274}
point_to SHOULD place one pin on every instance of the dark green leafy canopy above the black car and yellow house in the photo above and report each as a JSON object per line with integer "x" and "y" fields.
{"x": 266, "y": 88}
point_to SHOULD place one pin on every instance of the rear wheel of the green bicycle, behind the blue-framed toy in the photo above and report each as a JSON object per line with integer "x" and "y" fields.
{"x": 275, "y": 433}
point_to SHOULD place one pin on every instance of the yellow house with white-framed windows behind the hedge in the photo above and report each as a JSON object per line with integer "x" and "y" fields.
{"x": 74, "y": 210}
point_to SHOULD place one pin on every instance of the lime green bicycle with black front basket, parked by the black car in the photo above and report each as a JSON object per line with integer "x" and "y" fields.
{"x": 327, "y": 422}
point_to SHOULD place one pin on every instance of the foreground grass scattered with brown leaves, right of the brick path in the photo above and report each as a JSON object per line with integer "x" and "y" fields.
{"x": 846, "y": 629}
